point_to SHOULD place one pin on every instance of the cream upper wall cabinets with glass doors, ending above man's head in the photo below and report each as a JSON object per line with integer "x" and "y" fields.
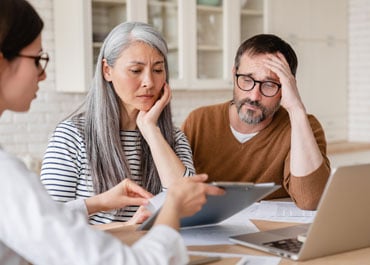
{"x": 202, "y": 38}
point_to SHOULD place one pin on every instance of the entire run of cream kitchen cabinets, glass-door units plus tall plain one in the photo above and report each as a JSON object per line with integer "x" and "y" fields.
{"x": 203, "y": 36}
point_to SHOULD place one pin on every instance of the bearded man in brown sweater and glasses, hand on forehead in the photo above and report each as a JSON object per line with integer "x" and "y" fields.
{"x": 264, "y": 134}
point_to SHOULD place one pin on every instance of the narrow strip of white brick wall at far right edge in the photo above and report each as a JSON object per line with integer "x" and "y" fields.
{"x": 359, "y": 71}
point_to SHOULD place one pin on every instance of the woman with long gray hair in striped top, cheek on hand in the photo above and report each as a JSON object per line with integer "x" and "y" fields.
{"x": 123, "y": 130}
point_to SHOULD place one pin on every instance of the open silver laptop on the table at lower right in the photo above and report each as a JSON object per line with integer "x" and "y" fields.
{"x": 342, "y": 221}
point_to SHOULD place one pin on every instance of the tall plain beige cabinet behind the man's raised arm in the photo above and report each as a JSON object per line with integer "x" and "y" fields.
{"x": 319, "y": 37}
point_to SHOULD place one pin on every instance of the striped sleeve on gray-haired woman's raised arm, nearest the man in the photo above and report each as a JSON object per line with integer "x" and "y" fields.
{"x": 183, "y": 151}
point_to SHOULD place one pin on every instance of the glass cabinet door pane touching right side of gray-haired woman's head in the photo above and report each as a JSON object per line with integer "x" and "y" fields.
{"x": 163, "y": 15}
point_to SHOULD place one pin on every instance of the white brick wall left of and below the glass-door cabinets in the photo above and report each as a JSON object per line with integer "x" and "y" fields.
{"x": 27, "y": 134}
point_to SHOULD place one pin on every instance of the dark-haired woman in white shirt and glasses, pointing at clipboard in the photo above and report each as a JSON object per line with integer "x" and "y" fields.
{"x": 33, "y": 228}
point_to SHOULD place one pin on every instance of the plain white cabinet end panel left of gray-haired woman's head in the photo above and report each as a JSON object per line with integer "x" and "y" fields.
{"x": 73, "y": 45}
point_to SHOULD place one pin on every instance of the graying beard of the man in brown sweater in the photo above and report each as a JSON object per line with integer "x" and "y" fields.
{"x": 250, "y": 116}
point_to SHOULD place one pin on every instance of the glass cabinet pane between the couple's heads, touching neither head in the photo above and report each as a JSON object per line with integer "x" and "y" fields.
{"x": 209, "y": 27}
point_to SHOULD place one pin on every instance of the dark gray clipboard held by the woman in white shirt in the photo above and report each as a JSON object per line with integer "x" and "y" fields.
{"x": 237, "y": 197}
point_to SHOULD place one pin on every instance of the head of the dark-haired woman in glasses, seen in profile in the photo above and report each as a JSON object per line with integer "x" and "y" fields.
{"x": 14, "y": 37}
